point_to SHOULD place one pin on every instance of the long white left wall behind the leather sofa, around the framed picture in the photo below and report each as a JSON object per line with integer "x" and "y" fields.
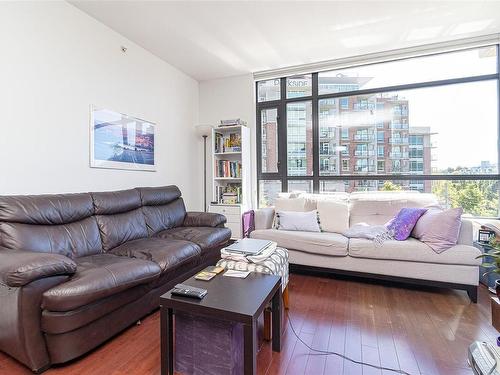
{"x": 55, "y": 62}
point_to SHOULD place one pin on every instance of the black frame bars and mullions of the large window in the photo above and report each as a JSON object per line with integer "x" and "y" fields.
{"x": 315, "y": 97}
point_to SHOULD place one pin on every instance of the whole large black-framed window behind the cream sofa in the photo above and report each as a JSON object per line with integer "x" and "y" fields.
{"x": 428, "y": 124}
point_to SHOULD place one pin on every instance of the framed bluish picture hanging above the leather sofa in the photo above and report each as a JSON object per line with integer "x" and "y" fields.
{"x": 119, "y": 141}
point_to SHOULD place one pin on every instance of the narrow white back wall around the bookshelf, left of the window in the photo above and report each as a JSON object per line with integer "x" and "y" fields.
{"x": 229, "y": 98}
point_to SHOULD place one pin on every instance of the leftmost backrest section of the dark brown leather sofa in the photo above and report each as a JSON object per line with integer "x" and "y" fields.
{"x": 61, "y": 223}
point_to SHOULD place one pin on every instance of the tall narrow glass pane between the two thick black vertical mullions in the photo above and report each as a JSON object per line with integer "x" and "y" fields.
{"x": 299, "y": 139}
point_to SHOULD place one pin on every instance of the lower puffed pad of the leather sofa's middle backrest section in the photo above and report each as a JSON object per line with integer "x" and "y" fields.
{"x": 119, "y": 228}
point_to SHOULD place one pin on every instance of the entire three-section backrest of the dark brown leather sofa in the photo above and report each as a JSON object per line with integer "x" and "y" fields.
{"x": 77, "y": 225}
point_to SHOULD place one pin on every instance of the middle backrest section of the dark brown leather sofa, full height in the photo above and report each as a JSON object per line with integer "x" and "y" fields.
{"x": 119, "y": 217}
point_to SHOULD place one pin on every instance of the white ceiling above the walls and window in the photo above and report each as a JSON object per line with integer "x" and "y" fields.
{"x": 216, "y": 39}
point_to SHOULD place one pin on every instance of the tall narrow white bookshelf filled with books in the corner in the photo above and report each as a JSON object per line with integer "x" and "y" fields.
{"x": 231, "y": 174}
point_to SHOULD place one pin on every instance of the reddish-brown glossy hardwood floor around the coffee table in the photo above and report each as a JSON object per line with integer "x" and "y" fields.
{"x": 422, "y": 331}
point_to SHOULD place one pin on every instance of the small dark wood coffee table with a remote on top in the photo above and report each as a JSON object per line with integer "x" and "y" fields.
{"x": 230, "y": 299}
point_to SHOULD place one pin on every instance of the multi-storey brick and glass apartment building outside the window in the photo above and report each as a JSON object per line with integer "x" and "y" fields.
{"x": 365, "y": 135}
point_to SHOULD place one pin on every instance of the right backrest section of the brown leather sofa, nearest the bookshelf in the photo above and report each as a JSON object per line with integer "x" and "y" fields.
{"x": 163, "y": 208}
